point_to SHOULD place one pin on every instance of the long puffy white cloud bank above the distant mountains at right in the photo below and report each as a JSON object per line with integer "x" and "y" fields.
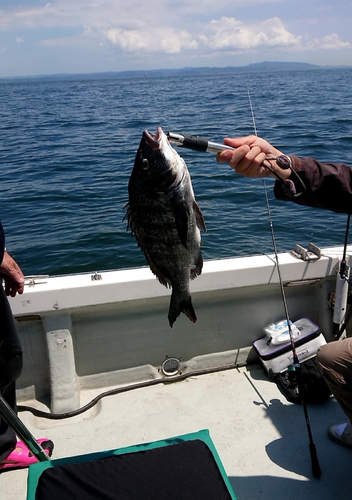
{"x": 226, "y": 34}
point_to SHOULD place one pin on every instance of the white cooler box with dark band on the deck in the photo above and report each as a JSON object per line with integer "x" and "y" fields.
{"x": 277, "y": 358}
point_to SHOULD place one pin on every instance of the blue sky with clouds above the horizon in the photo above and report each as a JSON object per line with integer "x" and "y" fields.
{"x": 88, "y": 36}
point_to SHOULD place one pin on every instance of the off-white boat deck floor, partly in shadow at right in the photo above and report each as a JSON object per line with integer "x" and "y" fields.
{"x": 261, "y": 438}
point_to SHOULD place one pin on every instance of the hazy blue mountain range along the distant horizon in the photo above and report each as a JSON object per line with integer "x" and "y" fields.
{"x": 265, "y": 66}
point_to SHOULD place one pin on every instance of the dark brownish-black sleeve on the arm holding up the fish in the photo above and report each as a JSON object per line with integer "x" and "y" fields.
{"x": 328, "y": 185}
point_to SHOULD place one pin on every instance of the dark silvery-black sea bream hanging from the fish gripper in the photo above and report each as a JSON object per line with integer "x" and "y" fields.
{"x": 164, "y": 217}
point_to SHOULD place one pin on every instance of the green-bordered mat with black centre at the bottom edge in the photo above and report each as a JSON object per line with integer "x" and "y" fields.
{"x": 199, "y": 474}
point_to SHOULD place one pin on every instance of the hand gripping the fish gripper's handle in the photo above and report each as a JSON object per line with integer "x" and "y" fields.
{"x": 249, "y": 156}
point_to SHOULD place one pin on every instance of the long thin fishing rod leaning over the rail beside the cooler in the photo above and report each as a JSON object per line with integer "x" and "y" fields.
{"x": 296, "y": 365}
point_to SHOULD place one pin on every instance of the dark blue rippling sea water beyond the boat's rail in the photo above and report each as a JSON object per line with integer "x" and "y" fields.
{"x": 67, "y": 148}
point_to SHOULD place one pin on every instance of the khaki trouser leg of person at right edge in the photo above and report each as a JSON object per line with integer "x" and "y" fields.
{"x": 335, "y": 363}
